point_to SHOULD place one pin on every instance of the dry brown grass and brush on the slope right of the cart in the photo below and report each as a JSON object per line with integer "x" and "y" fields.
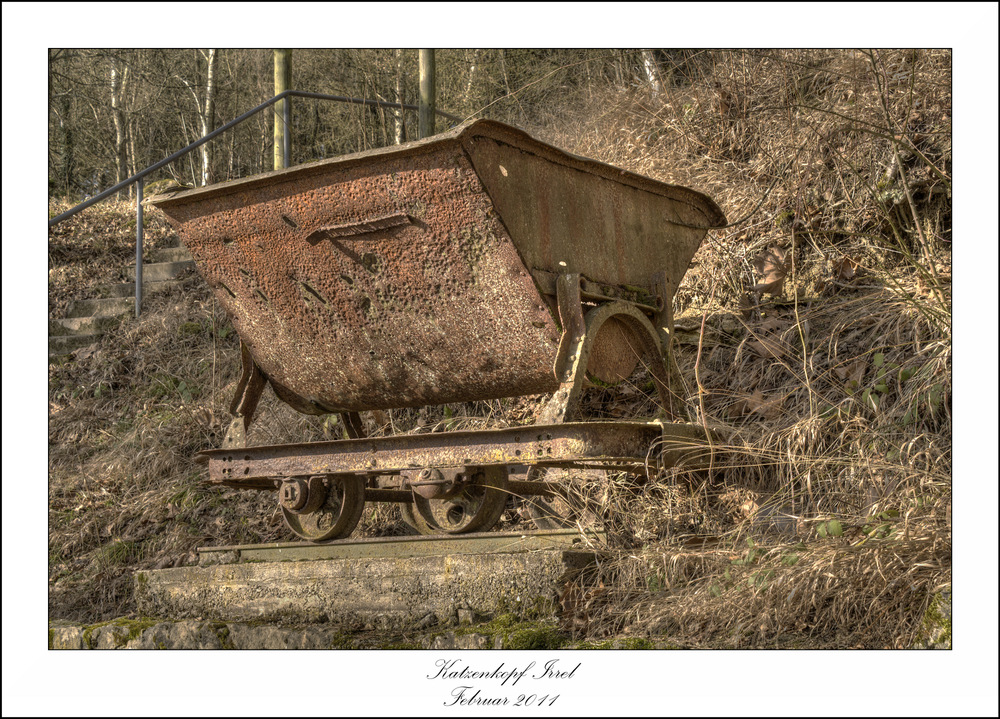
{"x": 834, "y": 397}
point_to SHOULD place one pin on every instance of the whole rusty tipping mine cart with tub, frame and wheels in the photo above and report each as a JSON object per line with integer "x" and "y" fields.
{"x": 473, "y": 265}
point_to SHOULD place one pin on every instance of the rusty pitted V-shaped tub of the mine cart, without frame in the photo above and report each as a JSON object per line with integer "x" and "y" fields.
{"x": 425, "y": 273}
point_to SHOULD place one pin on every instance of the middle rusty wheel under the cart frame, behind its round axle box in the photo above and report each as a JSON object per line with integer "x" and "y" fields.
{"x": 476, "y": 506}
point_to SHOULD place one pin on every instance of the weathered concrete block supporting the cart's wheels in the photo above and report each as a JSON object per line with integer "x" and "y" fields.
{"x": 400, "y": 588}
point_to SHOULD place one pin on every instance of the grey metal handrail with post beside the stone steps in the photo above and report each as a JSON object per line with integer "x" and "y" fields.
{"x": 138, "y": 177}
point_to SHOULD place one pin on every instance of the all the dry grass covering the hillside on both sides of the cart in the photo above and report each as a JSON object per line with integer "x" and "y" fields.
{"x": 825, "y": 519}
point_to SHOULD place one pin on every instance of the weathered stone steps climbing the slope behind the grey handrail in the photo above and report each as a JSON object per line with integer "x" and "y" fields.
{"x": 87, "y": 320}
